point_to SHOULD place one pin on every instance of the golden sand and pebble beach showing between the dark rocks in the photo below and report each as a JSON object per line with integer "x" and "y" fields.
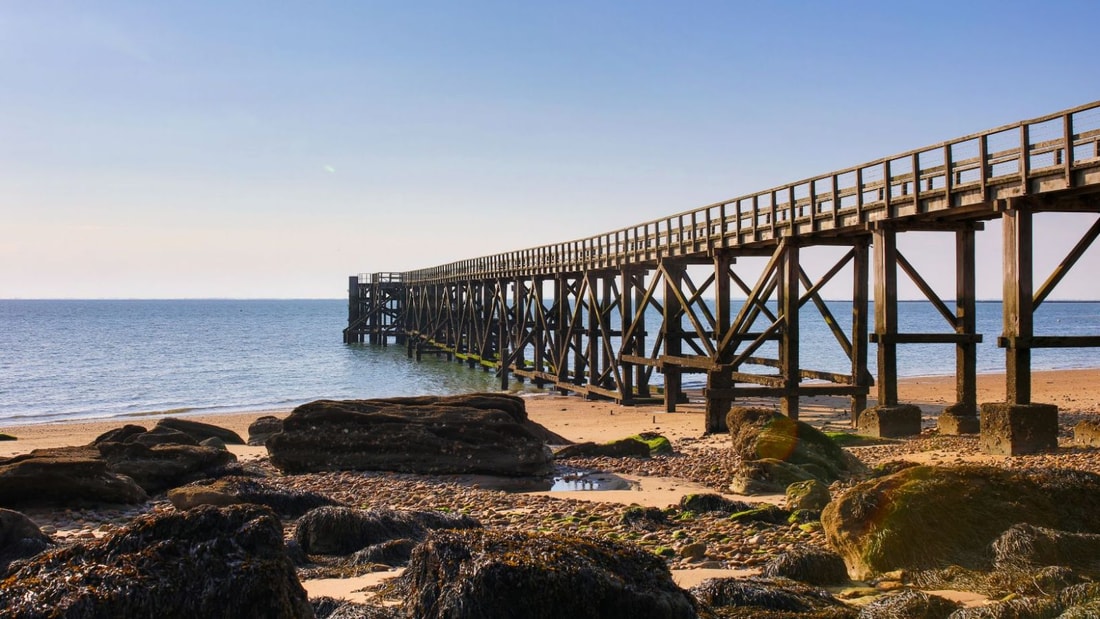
{"x": 654, "y": 483}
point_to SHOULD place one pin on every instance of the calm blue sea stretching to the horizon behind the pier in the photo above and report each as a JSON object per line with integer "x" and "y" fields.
{"x": 74, "y": 360}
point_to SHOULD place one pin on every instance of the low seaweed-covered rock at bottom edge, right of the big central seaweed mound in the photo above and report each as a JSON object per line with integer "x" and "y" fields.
{"x": 768, "y": 598}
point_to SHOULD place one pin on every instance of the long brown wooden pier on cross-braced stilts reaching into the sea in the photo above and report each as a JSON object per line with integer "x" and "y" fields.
{"x": 571, "y": 316}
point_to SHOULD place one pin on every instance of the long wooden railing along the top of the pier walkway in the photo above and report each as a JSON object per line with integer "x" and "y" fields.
{"x": 1057, "y": 152}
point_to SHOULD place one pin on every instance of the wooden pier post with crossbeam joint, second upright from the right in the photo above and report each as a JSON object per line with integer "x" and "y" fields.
{"x": 966, "y": 355}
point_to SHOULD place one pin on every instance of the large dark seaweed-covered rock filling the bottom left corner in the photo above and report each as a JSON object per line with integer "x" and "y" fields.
{"x": 208, "y": 562}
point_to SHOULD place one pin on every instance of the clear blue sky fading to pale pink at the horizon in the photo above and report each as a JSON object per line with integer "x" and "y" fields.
{"x": 270, "y": 150}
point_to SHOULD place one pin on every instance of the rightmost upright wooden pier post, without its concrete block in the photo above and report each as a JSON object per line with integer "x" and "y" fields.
{"x": 1018, "y": 302}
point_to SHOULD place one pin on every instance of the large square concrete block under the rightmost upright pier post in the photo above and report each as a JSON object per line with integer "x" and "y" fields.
{"x": 1009, "y": 429}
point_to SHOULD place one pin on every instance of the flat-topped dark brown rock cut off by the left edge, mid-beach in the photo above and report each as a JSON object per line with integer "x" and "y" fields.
{"x": 64, "y": 477}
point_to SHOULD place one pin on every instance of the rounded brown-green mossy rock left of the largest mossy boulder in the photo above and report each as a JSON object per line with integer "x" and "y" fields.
{"x": 777, "y": 451}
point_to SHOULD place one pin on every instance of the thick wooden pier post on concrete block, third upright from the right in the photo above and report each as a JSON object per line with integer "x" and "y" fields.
{"x": 886, "y": 312}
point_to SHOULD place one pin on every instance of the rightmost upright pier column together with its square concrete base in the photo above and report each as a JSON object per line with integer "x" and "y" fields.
{"x": 1018, "y": 426}
